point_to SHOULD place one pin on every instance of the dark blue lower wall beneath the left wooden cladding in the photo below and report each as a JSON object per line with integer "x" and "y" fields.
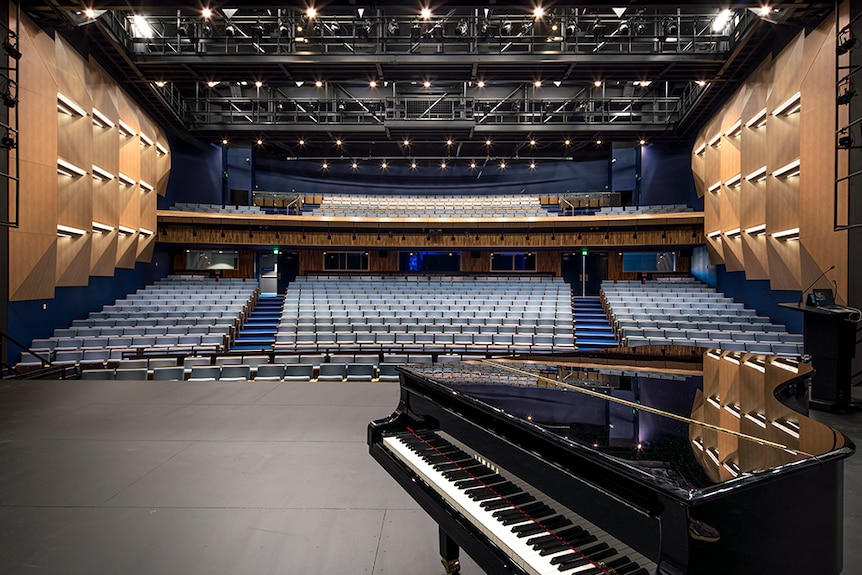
{"x": 28, "y": 319}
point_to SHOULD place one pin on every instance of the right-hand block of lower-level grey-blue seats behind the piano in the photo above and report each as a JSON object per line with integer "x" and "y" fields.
{"x": 684, "y": 311}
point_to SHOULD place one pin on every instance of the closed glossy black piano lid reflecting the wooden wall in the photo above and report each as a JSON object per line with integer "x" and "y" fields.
{"x": 685, "y": 418}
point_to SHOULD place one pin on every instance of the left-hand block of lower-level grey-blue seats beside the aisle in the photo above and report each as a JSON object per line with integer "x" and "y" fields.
{"x": 176, "y": 315}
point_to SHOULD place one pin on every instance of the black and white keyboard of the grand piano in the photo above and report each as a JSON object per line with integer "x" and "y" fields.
{"x": 527, "y": 528}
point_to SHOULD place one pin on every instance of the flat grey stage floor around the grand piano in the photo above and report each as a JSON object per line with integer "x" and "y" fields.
{"x": 222, "y": 478}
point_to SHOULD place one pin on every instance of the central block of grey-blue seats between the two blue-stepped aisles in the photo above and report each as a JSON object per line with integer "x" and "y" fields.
{"x": 426, "y": 314}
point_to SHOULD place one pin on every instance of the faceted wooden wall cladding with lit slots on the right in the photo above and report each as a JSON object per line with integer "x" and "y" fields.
{"x": 796, "y": 88}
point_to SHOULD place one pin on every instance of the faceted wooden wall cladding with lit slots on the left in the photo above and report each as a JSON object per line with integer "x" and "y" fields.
{"x": 39, "y": 260}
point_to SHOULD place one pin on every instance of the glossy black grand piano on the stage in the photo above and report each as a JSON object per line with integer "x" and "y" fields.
{"x": 632, "y": 461}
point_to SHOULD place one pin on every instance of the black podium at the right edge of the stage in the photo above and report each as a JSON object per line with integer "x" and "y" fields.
{"x": 830, "y": 340}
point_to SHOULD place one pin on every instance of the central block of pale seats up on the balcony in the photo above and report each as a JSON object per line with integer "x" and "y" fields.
{"x": 438, "y": 206}
